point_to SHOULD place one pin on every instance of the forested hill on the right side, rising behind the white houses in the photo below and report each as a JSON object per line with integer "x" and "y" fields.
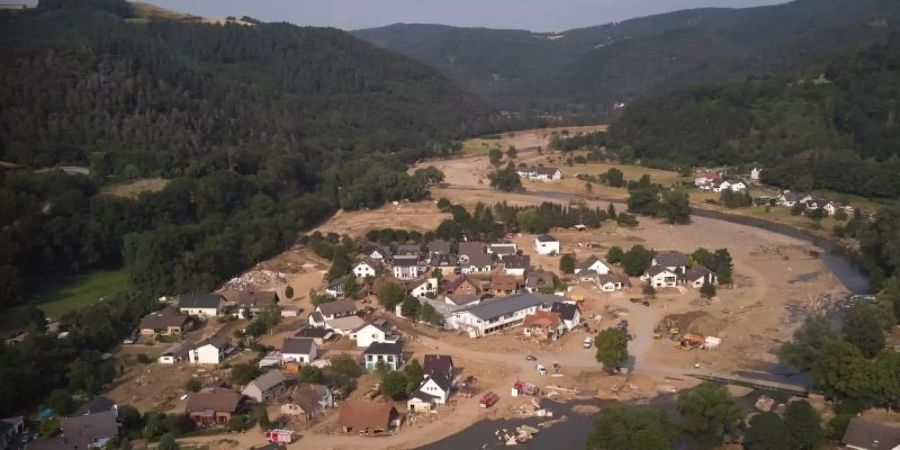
{"x": 834, "y": 126}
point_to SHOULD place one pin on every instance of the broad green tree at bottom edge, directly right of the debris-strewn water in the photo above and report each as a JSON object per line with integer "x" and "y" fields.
{"x": 623, "y": 427}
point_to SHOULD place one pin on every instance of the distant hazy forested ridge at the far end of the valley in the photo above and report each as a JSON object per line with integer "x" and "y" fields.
{"x": 585, "y": 71}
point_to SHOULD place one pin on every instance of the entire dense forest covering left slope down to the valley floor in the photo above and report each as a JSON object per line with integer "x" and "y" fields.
{"x": 261, "y": 130}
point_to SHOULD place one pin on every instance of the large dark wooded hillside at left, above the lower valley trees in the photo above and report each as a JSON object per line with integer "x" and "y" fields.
{"x": 165, "y": 97}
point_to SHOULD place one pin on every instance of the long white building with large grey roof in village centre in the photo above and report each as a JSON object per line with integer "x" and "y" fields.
{"x": 496, "y": 315}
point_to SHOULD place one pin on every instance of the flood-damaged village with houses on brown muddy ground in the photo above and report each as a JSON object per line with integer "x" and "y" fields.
{"x": 479, "y": 330}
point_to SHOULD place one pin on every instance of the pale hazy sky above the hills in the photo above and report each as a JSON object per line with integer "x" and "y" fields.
{"x": 536, "y": 15}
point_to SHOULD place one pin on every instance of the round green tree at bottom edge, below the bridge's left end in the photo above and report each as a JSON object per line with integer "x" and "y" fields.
{"x": 708, "y": 414}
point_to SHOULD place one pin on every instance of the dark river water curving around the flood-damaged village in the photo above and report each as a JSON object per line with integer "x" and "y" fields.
{"x": 572, "y": 433}
